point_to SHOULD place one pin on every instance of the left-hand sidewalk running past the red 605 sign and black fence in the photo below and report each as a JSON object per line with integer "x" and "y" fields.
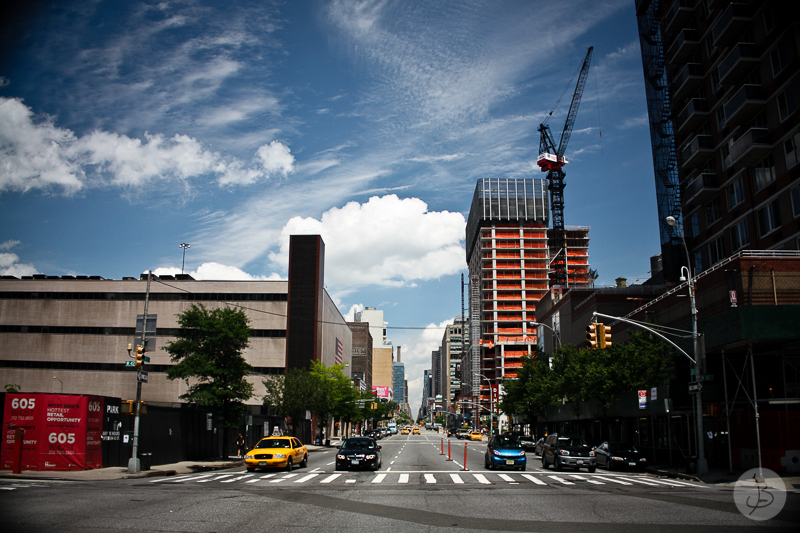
{"x": 121, "y": 472}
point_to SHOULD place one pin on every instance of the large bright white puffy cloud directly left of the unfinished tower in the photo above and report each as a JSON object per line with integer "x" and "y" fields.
{"x": 387, "y": 241}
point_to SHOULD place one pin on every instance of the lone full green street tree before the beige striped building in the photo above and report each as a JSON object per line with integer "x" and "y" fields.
{"x": 208, "y": 352}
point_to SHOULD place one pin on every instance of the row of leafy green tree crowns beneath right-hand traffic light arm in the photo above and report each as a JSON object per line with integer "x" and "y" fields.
{"x": 580, "y": 375}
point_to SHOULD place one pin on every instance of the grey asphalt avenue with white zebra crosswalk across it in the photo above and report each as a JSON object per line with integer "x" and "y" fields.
{"x": 416, "y": 489}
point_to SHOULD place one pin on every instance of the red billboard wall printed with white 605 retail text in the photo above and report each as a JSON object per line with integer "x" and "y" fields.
{"x": 62, "y": 432}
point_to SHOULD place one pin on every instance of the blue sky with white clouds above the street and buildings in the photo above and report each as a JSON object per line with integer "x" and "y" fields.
{"x": 127, "y": 128}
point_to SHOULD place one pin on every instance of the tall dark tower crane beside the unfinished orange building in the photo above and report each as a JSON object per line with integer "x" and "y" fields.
{"x": 552, "y": 161}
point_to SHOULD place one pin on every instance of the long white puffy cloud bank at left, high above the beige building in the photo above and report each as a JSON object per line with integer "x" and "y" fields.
{"x": 36, "y": 154}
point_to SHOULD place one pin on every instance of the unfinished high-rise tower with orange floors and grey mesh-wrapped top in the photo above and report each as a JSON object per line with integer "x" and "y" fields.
{"x": 508, "y": 257}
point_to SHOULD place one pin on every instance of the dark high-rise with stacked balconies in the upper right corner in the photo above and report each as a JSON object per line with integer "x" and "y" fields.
{"x": 732, "y": 87}
